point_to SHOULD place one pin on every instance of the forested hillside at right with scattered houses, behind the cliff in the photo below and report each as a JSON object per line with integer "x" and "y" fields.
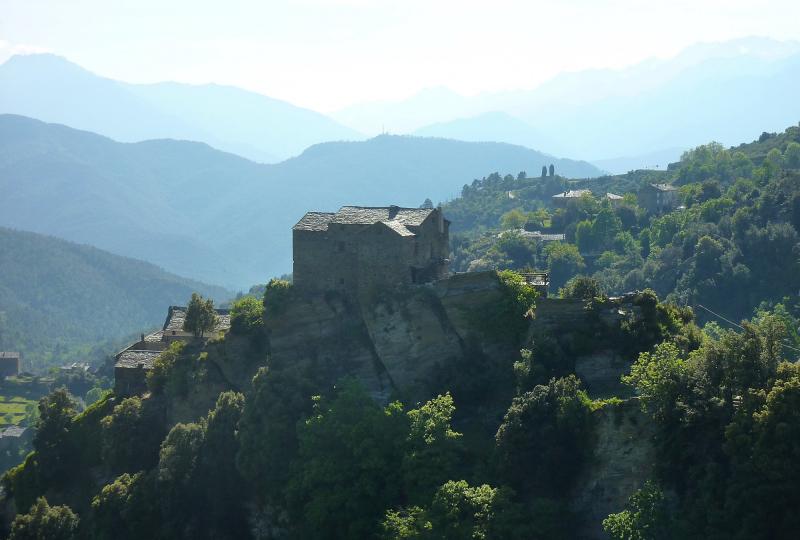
{"x": 732, "y": 244}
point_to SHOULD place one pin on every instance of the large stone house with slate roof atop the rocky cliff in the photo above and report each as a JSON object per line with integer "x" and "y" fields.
{"x": 358, "y": 248}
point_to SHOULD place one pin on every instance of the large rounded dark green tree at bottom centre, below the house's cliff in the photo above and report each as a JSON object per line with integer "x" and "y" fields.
{"x": 347, "y": 471}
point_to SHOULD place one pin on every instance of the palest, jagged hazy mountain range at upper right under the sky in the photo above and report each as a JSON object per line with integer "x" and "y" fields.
{"x": 710, "y": 91}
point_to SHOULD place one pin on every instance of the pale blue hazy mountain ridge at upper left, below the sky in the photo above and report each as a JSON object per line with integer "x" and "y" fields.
{"x": 52, "y": 89}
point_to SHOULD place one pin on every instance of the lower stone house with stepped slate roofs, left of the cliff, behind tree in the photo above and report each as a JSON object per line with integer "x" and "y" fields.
{"x": 132, "y": 363}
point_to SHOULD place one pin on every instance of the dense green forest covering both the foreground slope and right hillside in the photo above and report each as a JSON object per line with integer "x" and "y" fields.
{"x": 497, "y": 449}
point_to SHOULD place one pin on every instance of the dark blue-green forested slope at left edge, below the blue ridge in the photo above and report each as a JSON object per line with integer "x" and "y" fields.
{"x": 62, "y": 302}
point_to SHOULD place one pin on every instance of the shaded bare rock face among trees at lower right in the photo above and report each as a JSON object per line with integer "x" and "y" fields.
{"x": 622, "y": 461}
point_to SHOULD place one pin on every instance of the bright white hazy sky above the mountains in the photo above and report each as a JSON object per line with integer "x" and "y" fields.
{"x": 326, "y": 54}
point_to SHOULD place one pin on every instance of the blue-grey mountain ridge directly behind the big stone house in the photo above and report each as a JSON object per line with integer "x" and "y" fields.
{"x": 214, "y": 216}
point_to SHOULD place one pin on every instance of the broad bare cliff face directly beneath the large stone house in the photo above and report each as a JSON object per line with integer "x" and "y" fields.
{"x": 392, "y": 341}
